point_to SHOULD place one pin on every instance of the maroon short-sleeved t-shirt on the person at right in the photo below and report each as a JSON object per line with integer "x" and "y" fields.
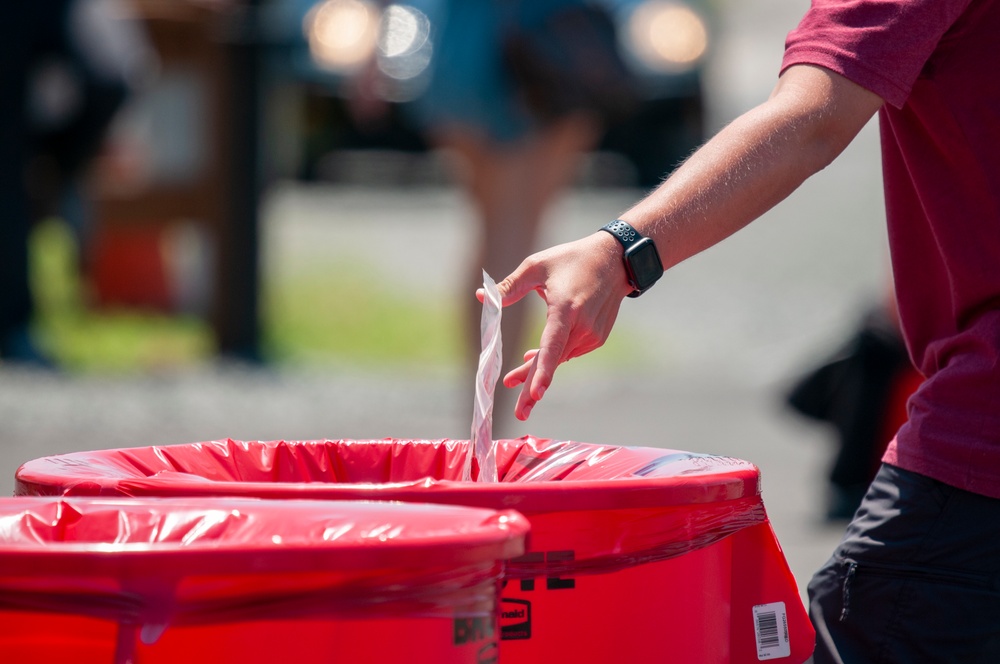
{"x": 937, "y": 65}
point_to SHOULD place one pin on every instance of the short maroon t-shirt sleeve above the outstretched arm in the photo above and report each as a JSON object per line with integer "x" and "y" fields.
{"x": 882, "y": 45}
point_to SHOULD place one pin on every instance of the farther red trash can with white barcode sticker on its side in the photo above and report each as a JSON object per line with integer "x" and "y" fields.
{"x": 636, "y": 554}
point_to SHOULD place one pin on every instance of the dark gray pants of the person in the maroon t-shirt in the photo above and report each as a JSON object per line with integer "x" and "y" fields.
{"x": 915, "y": 580}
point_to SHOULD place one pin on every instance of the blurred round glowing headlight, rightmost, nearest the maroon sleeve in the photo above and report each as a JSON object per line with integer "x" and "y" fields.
{"x": 666, "y": 36}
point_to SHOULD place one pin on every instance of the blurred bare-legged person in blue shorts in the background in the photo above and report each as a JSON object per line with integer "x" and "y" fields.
{"x": 512, "y": 161}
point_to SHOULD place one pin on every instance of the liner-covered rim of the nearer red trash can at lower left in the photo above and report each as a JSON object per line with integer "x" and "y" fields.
{"x": 244, "y": 540}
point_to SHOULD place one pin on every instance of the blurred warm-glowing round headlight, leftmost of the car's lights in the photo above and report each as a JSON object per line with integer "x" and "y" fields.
{"x": 341, "y": 33}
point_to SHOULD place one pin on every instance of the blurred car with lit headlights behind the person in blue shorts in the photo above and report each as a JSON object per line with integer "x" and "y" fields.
{"x": 665, "y": 43}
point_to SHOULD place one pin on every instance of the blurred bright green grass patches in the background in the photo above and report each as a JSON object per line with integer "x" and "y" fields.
{"x": 318, "y": 313}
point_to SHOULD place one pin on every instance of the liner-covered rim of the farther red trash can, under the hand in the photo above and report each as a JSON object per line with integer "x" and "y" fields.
{"x": 639, "y": 476}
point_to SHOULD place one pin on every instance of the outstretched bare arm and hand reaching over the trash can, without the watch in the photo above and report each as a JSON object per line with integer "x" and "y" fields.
{"x": 747, "y": 168}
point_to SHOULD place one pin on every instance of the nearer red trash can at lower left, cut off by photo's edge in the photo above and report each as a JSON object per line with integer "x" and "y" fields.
{"x": 239, "y": 580}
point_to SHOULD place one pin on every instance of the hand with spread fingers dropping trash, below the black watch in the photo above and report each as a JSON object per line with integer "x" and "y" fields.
{"x": 583, "y": 284}
